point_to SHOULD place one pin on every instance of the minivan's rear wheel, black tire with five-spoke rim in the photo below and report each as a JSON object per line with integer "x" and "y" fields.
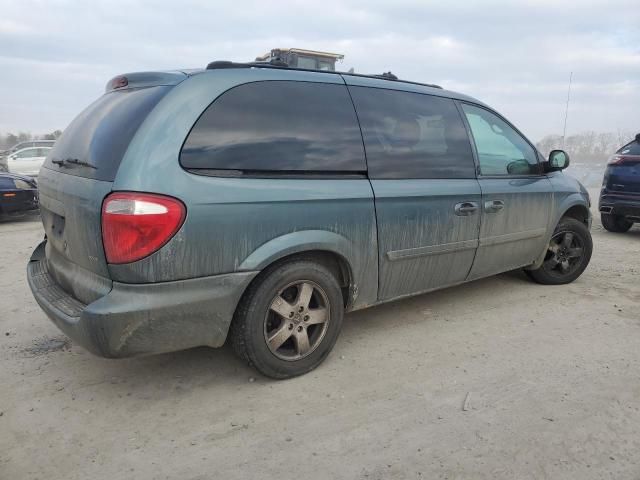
{"x": 286, "y": 303}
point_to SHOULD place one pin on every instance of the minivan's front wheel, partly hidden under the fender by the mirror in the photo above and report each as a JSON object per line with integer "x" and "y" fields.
{"x": 568, "y": 254}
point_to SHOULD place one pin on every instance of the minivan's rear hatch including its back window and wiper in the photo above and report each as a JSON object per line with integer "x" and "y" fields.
{"x": 77, "y": 175}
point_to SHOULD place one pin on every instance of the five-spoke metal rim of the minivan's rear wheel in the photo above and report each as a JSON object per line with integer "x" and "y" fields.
{"x": 297, "y": 320}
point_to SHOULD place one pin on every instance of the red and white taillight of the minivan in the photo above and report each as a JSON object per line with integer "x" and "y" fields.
{"x": 135, "y": 225}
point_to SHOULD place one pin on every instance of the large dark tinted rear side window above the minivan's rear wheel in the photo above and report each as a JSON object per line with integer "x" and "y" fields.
{"x": 277, "y": 126}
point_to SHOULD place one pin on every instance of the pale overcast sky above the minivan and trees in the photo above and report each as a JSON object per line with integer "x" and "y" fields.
{"x": 56, "y": 56}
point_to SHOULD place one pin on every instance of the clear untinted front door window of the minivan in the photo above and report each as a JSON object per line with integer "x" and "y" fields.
{"x": 501, "y": 150}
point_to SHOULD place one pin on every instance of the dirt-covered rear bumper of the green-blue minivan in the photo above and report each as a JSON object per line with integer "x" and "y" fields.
{"x": 140, "y": 319}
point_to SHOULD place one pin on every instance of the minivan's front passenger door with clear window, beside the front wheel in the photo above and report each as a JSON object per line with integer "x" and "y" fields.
{"x": 516, "y": 197}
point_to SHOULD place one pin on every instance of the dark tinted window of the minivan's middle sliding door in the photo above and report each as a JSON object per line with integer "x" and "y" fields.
{"x": 412, "y": 135}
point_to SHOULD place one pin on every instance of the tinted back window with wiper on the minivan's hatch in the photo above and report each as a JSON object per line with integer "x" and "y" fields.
{"x": 98, "y": 138}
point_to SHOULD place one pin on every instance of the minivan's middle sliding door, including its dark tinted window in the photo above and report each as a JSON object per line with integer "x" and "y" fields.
{"x": 427, "y": 198}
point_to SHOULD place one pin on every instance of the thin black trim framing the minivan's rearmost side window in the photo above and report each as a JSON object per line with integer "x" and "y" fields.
{"x": 277, "y": 174}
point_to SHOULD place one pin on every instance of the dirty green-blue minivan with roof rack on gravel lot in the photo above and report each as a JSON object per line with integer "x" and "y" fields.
{"x": 256, "y": 204}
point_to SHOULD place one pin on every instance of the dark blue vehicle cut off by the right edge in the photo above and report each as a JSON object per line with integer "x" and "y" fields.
{"x": 620, "y": 195}
